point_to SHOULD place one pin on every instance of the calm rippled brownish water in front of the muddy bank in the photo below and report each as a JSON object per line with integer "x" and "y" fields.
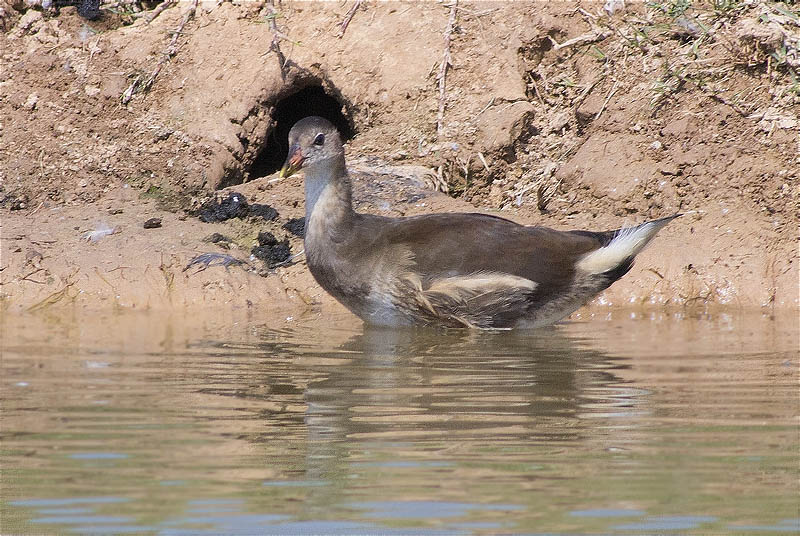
{"x": 226, "y": 423}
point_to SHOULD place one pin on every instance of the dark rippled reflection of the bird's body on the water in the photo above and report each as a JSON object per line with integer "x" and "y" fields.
{"x": 426, "y": 402}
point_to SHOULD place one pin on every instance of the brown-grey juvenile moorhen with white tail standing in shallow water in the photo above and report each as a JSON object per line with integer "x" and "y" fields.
{"x": 453, "y": 270}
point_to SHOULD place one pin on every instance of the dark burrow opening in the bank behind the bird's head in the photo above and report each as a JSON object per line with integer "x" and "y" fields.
{"x": 311, "y": 100}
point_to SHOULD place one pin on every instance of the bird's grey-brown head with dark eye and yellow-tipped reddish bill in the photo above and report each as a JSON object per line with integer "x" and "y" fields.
{"x": 312, "y": 141}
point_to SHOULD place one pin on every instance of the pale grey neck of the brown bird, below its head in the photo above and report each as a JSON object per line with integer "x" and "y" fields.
{"x": 328, "y": 196}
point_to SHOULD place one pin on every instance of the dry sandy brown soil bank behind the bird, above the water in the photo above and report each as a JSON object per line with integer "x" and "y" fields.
{"x": 553, "y": 115}
